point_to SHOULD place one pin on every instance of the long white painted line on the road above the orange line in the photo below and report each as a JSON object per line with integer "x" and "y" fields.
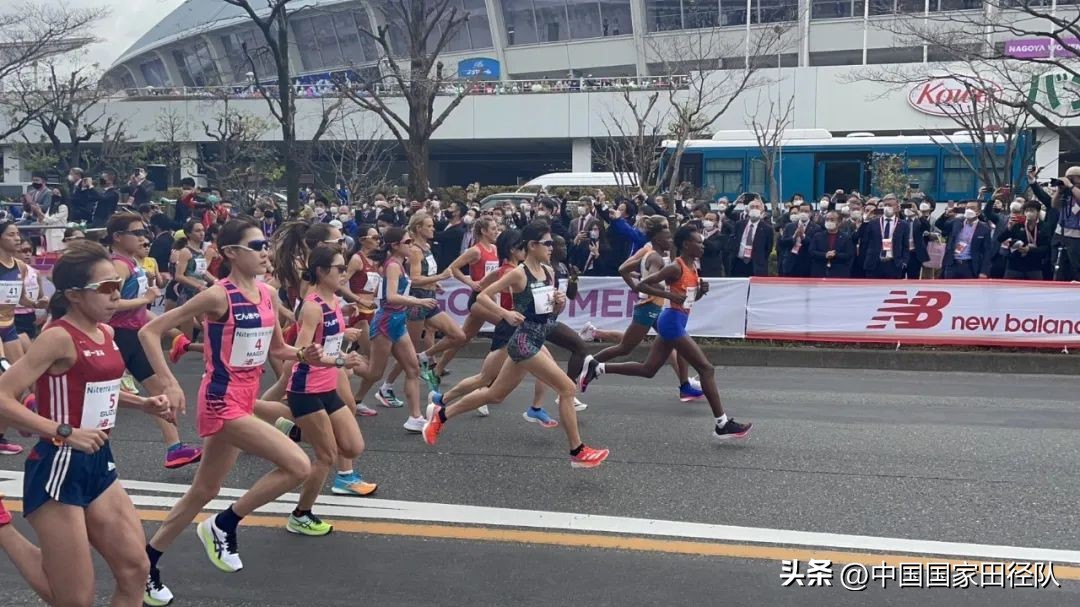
{"x": 166, "y": 495}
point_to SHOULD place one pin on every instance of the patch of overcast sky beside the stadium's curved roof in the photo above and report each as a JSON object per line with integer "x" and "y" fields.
{"x": 128, "y": 21}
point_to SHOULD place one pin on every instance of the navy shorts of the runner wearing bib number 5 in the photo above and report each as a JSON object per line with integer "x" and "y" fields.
{"x": 66, "y": 476}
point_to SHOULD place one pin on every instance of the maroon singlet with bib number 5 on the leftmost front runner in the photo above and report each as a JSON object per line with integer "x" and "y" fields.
{"x": 86, "y": 396}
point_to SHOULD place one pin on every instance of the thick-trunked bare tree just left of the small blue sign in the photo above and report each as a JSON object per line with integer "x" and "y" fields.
{"x": 426, "y": 29}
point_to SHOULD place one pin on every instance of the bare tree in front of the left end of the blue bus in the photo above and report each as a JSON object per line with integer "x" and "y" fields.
{"x": 705, "y": 91}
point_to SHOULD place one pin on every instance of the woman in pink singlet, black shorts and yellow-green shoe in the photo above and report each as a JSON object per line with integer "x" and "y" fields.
{"x": 327, "y": 424}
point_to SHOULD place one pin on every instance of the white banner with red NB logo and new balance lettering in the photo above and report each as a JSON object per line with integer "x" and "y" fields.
{"x": 977, "y": 313}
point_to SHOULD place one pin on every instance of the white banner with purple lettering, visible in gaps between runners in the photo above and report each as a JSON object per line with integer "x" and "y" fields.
{"x": 609, "y": 304}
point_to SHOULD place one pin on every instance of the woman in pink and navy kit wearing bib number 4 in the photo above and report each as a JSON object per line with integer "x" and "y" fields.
{"x": 241, "y": 331}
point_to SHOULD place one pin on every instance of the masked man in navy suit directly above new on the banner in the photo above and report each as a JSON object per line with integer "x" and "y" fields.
{"x": 970, "y": 247}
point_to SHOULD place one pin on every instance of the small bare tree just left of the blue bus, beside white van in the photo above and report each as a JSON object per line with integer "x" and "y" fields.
{"x": 632, "y": 142}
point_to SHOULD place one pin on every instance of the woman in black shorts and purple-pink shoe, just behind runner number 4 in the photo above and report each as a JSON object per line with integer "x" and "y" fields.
{"x": 125, "y": 234}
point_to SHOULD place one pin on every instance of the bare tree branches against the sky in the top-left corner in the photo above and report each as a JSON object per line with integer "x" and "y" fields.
{"x": 31, "y": 34}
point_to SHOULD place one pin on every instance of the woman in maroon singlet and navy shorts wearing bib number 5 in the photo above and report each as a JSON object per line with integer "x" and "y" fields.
{"x": 71, "y": 495}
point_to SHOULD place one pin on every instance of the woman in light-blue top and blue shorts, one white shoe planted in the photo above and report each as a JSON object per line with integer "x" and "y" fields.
{"x": 389, "y": 333}
